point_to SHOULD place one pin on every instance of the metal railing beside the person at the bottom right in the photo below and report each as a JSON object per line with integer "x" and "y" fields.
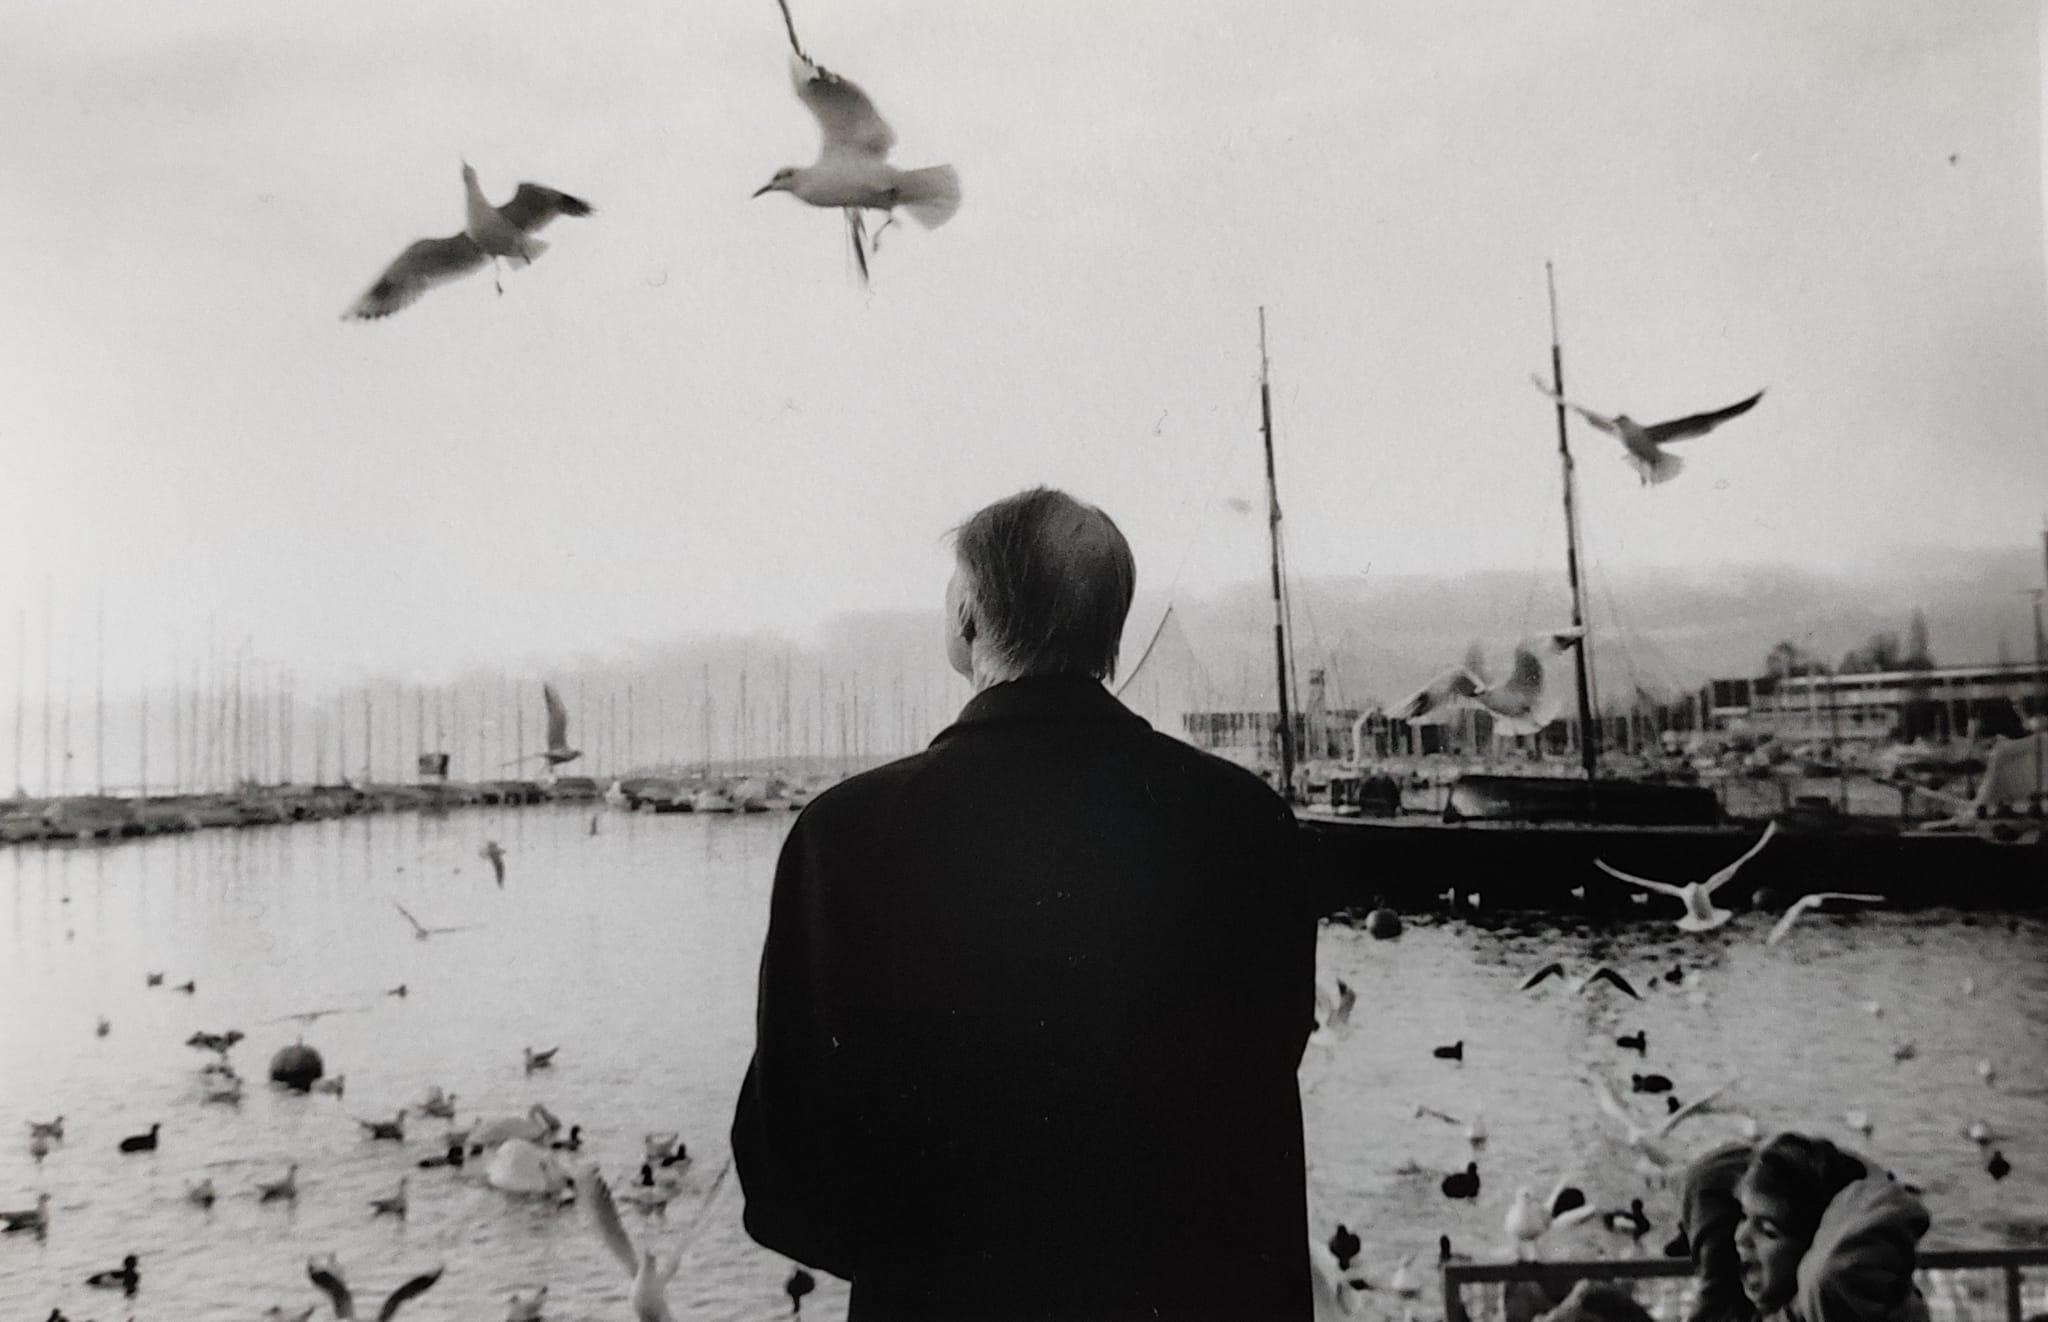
{"x": 1945, "y": 1278}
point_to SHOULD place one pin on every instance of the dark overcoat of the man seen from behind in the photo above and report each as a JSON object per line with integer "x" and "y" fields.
{"x": 1031, "y": 1014}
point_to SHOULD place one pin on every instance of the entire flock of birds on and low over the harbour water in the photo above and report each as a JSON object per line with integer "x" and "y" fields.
{"x": 536, "y": 1155}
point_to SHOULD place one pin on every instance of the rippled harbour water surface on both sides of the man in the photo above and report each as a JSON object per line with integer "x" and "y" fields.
{"x": 636, "y": 953}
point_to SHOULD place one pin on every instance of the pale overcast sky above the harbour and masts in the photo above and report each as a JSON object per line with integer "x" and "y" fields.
{"x": 689, "y": 418}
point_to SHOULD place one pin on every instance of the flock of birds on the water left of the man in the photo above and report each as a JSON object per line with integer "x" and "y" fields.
{"x": 529, "y": 1155}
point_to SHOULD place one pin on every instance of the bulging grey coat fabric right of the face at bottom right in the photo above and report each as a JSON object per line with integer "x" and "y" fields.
{"x": 1861, "y": 1262}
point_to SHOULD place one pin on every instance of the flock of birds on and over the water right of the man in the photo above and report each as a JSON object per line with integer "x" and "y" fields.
{"x": 1338, "y": 1249}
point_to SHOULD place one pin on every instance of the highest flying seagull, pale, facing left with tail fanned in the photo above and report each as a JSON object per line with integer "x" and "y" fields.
{"x": 853, "y": 163}
